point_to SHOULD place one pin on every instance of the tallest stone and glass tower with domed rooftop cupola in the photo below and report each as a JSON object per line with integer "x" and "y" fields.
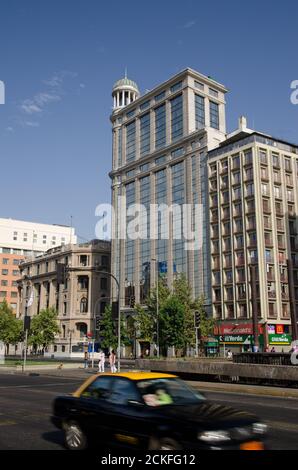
{"x": 160, "y": 145}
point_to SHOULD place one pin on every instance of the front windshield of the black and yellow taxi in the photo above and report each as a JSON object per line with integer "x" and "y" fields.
{"x": 160, "y": 392}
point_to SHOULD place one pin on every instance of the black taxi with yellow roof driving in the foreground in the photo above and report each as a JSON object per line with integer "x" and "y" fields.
{"x": 151, "y": 411}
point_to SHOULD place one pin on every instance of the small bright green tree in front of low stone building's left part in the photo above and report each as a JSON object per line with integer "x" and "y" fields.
{"x": 44, "y": 328}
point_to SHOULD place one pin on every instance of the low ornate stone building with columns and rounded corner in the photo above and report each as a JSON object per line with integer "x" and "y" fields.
{"x": 78, "y": 301}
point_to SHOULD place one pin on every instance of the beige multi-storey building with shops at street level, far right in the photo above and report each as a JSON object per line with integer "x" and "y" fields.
{"x": 253, "y": 207}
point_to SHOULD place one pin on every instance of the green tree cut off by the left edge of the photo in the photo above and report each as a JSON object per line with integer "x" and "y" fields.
{"x": 10, "y": 327}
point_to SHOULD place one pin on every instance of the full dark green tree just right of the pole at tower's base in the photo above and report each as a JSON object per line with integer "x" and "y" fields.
{"x": 172, "y": 320}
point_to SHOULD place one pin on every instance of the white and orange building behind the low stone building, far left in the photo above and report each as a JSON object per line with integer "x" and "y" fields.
{"x": 20, "y": 239}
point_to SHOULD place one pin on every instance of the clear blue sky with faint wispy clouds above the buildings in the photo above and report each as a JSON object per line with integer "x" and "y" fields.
{"x": 59, "y": 60}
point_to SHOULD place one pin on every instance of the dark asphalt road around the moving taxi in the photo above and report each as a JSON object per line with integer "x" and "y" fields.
{"x": 25, "y": 408}
